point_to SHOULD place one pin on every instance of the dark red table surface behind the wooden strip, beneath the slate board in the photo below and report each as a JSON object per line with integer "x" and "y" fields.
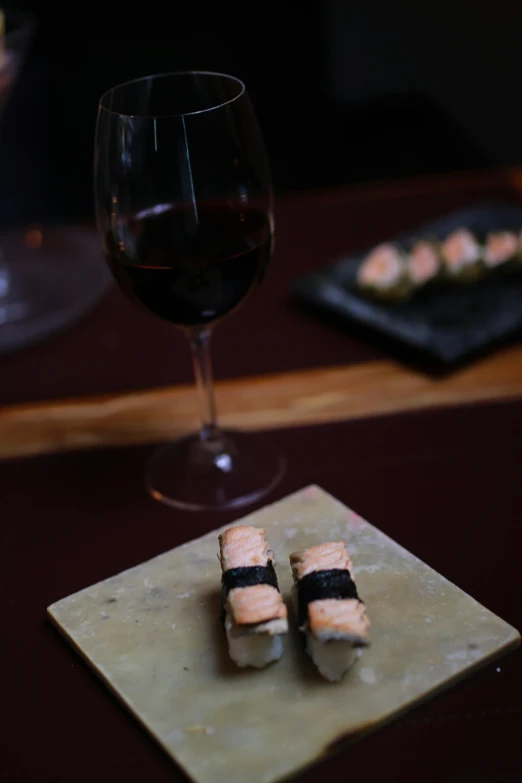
{"x": 117, "y": 347}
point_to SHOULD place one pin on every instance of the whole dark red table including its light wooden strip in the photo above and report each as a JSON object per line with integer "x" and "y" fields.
{"x": 437, "y": 467}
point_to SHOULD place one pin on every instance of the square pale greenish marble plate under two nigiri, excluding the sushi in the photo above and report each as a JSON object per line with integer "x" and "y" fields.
{"x": 153, "y": 634}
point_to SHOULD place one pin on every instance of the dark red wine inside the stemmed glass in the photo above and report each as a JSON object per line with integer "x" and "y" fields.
{"x": 190, "y": 266}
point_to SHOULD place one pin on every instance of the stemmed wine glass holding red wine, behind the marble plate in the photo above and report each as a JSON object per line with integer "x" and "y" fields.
{"x": 184, "y": 209}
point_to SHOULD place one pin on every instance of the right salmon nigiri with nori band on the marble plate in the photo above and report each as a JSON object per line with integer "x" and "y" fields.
{"x": 329, "y": 610}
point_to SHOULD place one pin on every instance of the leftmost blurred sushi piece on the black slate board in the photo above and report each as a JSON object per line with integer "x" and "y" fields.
{"x": 383, "y": 273}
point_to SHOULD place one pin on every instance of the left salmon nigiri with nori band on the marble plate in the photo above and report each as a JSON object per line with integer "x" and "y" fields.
{"x": 252, "y": 608}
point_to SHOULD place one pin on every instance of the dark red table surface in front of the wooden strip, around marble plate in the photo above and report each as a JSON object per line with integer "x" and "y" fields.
{"x": 445, "y": 484}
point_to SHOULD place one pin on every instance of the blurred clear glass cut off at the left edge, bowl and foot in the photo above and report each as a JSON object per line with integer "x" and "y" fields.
{"x": 45, "y": 281}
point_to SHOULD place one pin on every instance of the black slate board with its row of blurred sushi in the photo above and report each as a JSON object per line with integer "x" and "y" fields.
{"x": 450, "y": 288}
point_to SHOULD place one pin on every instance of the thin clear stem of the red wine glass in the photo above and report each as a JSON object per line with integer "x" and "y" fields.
{"x": 200, "y": 345}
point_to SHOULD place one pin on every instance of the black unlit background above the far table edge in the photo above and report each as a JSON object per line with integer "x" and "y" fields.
{"x": 344, "y": 91}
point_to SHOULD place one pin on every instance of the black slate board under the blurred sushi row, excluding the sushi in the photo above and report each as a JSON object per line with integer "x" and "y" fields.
{"x": 450, "y": 322}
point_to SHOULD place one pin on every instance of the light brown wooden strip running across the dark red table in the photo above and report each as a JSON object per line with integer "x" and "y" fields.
{"x": 293, "y": 399}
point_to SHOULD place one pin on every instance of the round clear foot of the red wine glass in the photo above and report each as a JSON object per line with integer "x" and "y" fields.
{"x": 194, "y": 476}
